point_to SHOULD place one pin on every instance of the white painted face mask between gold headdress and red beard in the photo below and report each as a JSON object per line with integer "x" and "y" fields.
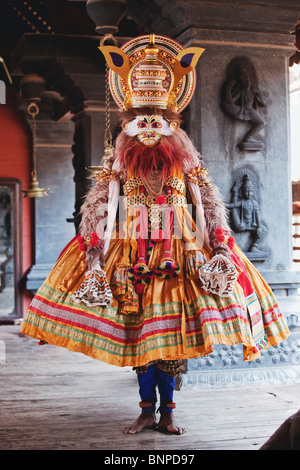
{"x": 149, "y": 129}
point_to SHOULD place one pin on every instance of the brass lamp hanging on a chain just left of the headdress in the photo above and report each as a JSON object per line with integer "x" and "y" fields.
{"x": 108, "y": 148}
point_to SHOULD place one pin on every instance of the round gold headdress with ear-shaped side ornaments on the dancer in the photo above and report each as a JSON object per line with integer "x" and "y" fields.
{"x": 152, "y": 71}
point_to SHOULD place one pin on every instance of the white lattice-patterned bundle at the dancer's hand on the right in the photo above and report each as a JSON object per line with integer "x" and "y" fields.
{"x": 218, "y": 276}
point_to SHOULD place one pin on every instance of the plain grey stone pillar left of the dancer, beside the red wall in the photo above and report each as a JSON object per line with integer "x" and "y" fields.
{"x": 55, "y": 172}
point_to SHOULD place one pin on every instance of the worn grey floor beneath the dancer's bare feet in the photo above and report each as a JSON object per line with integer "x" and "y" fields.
{"x": 54, "y": 399}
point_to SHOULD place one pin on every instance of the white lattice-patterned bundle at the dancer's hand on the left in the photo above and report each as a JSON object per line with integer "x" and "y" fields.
{"x": 94, "y": 290}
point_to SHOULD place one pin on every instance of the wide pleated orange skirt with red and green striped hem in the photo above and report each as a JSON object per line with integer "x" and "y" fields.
{"x": 177, "y": 319}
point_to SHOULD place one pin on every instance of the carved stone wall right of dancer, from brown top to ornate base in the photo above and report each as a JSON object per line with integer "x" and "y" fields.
{"x": 241, "y": 34}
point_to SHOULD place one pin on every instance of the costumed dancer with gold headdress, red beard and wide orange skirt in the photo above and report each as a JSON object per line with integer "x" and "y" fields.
{"x": 156, "y": 279}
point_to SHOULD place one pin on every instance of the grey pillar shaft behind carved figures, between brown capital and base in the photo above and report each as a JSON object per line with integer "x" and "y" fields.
{"x": 218, "y": 135}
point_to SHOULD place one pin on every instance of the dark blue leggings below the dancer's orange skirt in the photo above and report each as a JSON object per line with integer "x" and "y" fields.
{"x": 166, "y": 386}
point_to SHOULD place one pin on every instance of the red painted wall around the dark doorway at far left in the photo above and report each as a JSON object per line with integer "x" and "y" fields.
{"x": 15, "y": 162}
